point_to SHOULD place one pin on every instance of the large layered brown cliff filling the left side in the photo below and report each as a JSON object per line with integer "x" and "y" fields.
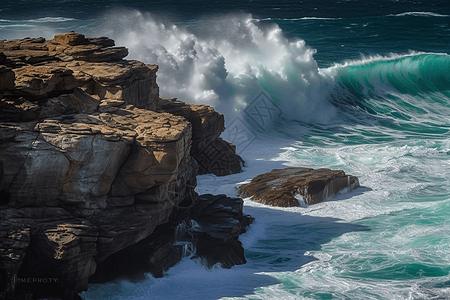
{"x": 90, "y": 163}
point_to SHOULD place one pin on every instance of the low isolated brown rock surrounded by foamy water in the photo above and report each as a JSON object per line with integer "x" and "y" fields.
{"x": 281, "y": 186}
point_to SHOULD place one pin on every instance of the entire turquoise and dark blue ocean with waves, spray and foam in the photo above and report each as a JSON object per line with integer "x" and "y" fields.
{"x": 362, "y": 86}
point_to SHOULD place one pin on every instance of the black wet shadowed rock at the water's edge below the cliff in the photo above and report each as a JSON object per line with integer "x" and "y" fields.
{"x": 207, "y": 229}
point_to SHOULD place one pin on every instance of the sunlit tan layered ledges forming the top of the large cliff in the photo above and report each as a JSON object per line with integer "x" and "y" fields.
{"x": 77, "y": 85}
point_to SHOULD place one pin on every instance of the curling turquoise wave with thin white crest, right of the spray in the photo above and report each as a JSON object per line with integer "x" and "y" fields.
{"x": 411, "y": 89}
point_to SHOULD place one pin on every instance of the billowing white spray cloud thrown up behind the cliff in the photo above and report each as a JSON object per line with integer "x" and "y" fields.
{"x": 225, "y": 62}
